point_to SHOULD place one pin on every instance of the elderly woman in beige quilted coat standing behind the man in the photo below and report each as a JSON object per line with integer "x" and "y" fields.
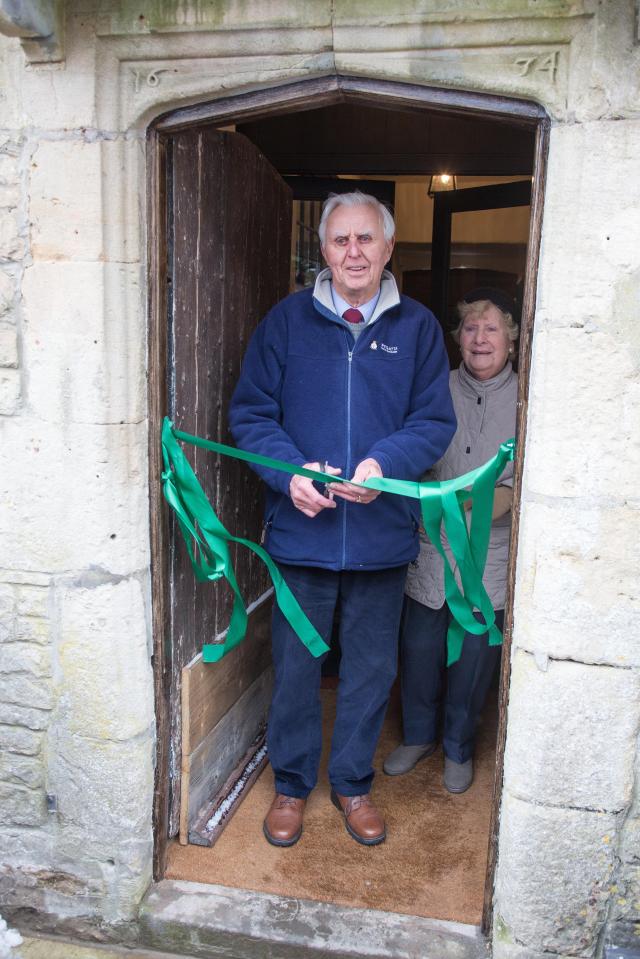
{"x": 484, "y": 390}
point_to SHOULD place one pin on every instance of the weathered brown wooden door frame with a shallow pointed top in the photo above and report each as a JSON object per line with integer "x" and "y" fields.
{"x": 262, "y": 103}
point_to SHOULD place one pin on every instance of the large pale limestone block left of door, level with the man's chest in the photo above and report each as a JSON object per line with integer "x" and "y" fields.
{"x": 95, "y": 372}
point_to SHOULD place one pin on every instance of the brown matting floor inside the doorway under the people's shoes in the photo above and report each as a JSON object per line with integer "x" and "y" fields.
{"x": 432, "y": 864}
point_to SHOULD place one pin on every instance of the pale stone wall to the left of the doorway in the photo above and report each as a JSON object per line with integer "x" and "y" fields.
{"x": 76, "y": 703}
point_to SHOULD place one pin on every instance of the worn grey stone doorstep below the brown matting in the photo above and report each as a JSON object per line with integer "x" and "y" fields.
{"x": 206, "y": 921}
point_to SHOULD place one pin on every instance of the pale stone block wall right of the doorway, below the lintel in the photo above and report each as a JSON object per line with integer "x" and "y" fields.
{"x": 570, "y": 804}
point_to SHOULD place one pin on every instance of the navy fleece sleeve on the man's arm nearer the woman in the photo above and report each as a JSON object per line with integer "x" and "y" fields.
{"x": 430, "y": 423}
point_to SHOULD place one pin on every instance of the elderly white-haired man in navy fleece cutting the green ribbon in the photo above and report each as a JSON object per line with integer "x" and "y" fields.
{"x": 350, "y": 378}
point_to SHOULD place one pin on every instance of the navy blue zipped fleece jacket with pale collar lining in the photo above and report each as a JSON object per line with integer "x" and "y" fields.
{"x": 309, "y": 391}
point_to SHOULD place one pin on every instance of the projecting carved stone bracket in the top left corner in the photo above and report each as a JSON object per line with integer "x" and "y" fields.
{"x": 39, "y": 24}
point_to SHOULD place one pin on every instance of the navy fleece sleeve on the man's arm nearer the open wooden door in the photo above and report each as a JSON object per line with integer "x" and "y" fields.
{"x": 255, "y": 413}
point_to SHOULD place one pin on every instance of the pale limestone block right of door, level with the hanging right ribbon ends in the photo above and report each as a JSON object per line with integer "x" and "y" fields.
{"x": 576, "y": 581}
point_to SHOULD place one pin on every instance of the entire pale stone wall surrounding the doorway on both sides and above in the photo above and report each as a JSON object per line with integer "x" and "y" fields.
{"x": 76, "y": 712}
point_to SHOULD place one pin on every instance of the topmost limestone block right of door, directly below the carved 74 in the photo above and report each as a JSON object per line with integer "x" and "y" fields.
{"x": 577, "y": 281}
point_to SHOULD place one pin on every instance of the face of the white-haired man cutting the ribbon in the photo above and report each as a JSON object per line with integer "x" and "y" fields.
{"x": 356, "y": 251}
